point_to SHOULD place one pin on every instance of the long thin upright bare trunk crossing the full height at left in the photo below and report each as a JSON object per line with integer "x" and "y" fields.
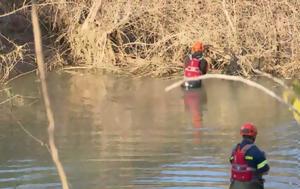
{"x": 42, "y": 76}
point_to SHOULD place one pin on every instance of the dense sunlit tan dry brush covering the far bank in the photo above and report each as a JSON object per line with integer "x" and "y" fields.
{"x": 151, "y": 37}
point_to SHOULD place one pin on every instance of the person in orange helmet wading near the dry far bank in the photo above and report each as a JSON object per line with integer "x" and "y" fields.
{"x": 195, "y": 66}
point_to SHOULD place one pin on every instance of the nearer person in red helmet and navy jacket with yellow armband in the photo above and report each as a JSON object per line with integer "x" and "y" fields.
{"x": 248, "y": 162}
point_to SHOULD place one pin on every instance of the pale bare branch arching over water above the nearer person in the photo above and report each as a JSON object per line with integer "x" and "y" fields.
{"x": 235, "y": 78}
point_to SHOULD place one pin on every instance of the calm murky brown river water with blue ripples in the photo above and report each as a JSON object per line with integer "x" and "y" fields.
{"x": 117, "y": 132}
